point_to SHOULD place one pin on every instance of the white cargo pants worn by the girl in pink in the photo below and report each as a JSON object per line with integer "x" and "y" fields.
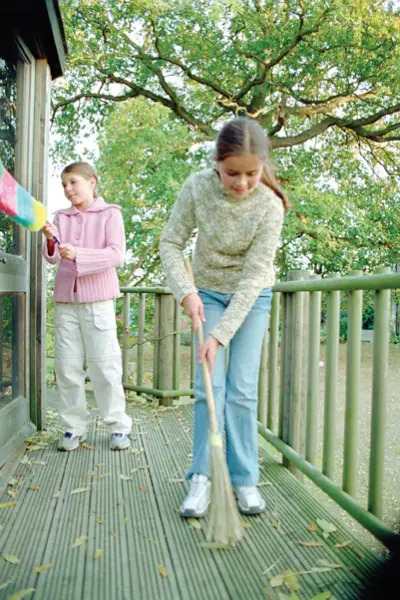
{"x": 88, "y": 330}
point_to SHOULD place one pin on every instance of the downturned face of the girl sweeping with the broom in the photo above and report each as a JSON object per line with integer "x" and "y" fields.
{"x": 240, "y": 173}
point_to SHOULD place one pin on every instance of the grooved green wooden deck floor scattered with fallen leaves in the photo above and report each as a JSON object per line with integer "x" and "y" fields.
{"x": 96, "y": 524}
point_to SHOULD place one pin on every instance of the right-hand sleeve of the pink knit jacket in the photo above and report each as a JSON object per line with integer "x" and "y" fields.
{"x": 93, "y": 260}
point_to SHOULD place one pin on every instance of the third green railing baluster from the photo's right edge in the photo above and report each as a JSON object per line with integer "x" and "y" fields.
{"x": 332, "y": 358}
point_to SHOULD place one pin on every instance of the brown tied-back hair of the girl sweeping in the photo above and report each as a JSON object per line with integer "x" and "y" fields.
{"x": 246, "y": 136}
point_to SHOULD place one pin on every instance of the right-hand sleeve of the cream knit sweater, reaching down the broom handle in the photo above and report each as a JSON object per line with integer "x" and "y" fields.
{"x": 259, "y": 261}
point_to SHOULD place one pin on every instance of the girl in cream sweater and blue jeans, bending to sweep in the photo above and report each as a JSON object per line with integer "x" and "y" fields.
{"x": 238, "y": 208}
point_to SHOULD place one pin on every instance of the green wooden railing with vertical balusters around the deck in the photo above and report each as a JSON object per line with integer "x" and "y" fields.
{"x": 289, "y": 382}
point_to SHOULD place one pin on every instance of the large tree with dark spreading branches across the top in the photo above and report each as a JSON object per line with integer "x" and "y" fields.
{"x": 300, "y": 68}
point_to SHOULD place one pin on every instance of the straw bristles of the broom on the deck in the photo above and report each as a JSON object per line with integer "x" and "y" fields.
{"x": 224, "y": 522}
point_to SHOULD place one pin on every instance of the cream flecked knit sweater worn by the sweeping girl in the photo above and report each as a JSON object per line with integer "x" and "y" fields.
{"x": 235, "y": 247}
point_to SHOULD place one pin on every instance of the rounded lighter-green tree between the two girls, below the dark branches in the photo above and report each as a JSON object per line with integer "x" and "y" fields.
{"x": 145, "y": 155}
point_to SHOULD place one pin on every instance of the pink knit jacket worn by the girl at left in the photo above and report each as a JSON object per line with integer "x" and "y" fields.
{"x": 99, "y": 238}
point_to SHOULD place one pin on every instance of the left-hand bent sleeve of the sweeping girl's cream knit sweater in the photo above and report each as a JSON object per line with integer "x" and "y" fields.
{"x": 173, "y": 240}
